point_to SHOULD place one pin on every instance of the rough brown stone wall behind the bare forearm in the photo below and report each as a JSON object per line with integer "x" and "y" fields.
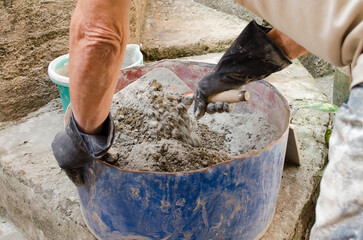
{"x": 33, "y": 33}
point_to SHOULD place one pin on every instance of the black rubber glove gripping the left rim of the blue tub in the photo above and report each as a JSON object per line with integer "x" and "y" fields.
{"x": 73, "y": 149}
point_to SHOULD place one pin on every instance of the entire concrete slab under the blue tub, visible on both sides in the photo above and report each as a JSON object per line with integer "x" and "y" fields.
{"x": 41, "y": 201}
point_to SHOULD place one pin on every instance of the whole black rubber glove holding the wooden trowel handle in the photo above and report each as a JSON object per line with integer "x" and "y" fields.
{"x": 252, "y": 56}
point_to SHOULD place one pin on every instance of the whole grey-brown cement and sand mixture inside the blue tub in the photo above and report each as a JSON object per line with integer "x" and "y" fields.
{"x": 155, "y": 131}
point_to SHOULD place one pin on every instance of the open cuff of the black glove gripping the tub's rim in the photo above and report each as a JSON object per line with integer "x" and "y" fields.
{"x": 95, "y": 145}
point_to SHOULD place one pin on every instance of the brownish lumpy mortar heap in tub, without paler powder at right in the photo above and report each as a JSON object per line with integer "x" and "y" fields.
{"x": 154, "y": 131}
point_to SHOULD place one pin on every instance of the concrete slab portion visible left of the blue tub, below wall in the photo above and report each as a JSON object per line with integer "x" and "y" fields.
{"x": 35, "y": 195}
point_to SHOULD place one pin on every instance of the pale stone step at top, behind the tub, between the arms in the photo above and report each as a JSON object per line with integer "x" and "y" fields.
{"x": 185, "y": 28}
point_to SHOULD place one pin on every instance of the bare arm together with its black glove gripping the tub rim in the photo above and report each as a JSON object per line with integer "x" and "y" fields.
{"x": 98, "y": 37}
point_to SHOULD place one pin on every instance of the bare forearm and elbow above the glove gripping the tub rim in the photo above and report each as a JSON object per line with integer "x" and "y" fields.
{"x": 98, "y": 37}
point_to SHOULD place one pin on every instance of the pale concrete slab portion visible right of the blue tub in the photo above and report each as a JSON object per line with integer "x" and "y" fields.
{"x": 299, "y": 190}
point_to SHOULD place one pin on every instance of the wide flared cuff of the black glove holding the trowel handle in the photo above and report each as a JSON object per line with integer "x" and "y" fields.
{"x": 252, "y": 56}
